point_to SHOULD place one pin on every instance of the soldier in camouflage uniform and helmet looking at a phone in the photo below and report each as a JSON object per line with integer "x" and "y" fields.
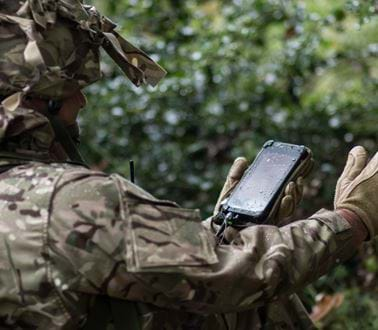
{"x": 69, "y": 234}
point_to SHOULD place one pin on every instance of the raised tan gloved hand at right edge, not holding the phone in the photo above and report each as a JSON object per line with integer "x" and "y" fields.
{"x": 357, "y": 188}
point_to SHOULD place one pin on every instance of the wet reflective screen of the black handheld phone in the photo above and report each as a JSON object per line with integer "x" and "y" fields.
{"x": 264, "y": 180}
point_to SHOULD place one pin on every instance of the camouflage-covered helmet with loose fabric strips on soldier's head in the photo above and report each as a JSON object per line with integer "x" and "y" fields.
{"x": 51, "y": 48}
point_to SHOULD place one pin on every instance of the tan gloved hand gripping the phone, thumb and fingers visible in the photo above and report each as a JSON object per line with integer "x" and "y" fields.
{"x": 292, "y": 196}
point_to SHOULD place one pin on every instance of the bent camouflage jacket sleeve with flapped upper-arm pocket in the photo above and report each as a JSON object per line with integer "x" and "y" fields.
{"x": 118, "y": 240}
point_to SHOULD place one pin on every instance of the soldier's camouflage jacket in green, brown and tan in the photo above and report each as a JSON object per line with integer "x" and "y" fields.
{"x": 68, "y": 234}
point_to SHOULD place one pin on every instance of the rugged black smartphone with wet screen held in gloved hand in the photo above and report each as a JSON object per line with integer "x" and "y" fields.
{"x": 256, "y": 197}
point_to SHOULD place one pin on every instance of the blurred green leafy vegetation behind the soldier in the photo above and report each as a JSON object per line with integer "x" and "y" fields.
{"x": 239, "y": 73}
